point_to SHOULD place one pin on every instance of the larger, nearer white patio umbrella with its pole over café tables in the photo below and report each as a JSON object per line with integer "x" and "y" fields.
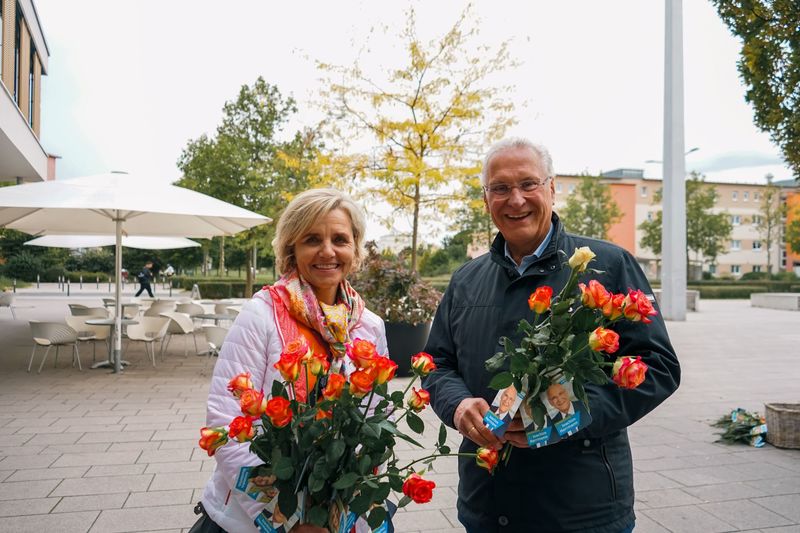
{"x": 117, "y": 203}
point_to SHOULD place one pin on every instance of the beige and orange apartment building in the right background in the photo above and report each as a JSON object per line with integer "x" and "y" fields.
{"x": 746, "y": 250}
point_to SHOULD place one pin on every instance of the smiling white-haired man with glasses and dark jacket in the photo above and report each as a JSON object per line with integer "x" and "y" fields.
{"x": 584, "y": 482}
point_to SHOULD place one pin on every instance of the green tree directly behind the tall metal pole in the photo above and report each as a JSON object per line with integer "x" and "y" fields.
{"x": 706, "y": 232}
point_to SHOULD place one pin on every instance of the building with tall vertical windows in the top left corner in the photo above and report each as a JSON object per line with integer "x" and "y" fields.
{"x": 23, "y": 62}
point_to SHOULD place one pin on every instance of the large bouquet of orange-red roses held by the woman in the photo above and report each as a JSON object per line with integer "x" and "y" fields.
{"x": 327, "y": 440}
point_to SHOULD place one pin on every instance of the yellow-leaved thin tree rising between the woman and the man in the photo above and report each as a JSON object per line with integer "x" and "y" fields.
{"x": 428, "y": 121}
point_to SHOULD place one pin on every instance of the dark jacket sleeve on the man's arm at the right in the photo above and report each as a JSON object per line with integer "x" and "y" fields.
{"x": 613, "y": 408}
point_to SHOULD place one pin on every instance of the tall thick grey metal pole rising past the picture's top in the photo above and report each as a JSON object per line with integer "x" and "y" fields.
{"x": 673, "y": 249}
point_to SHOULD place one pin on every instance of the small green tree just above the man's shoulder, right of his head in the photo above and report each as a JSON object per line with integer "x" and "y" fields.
{"x": 591, "y": 210}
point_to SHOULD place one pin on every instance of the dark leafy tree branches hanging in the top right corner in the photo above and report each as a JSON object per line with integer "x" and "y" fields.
{"x": 770, "y": 66}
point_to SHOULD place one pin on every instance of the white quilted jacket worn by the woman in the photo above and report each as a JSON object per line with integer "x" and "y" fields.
{"x": 254, "y": 345}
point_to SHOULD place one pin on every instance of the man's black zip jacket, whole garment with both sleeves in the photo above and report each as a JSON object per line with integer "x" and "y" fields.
{"x": 584, "y": 483}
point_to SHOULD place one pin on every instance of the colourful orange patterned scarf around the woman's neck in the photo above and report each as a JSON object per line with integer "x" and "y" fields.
{"x": 332, "y": 322}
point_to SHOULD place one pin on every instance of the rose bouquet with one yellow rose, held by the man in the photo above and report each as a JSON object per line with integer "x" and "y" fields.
{"x": 569, "y": 343}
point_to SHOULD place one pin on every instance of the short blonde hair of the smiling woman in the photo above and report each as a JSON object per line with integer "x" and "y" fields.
{"x": 302, "y": 212}
